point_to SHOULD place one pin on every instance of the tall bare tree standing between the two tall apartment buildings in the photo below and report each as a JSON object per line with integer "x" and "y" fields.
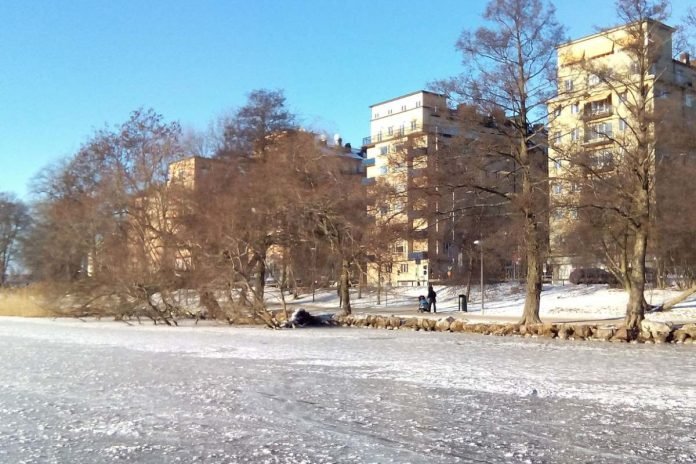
{"x": 510, "y": 67}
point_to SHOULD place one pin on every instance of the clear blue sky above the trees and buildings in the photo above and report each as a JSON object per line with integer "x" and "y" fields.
{"x": 70, "y": 67}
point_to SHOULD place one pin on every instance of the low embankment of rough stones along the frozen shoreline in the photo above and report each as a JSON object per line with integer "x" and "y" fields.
{"x": 651, "y": 332}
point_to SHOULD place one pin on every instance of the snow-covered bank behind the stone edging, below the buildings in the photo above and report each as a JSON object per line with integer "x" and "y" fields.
{"x": 568, "y": 301}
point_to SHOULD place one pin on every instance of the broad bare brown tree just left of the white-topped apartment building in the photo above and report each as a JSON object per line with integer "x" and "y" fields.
{"x": 270, "y": 205}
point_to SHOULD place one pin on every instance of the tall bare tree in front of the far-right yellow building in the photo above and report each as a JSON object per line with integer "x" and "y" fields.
{"x": 616, "y": 186}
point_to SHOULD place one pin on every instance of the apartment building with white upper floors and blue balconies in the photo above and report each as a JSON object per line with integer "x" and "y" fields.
{"x": 405, "y": 134}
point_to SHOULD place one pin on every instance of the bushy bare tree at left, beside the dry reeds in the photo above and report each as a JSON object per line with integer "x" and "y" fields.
{"x": 105, "y": 212}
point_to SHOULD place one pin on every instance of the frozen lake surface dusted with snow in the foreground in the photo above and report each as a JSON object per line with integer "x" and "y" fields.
{"x": 87, "y": 392}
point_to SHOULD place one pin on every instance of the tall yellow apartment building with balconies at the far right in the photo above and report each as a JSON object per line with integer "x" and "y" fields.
{"x": 598, "y": 81}
